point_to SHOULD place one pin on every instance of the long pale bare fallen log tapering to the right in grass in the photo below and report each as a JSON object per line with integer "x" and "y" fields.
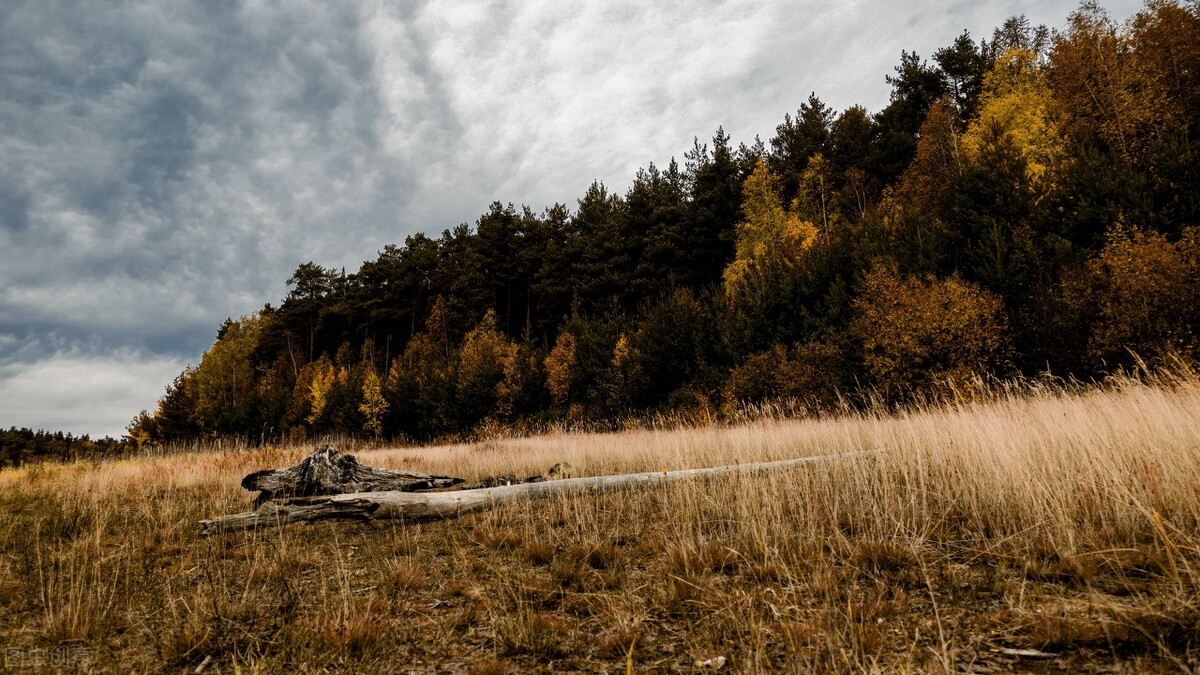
{"x": 436, "y": 506}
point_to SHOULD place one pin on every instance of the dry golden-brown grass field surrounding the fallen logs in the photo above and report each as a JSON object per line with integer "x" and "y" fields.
{"x": 1057, "y": 521}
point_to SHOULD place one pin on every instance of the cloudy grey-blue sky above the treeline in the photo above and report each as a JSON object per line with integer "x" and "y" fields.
{"x": 166, "y": 165}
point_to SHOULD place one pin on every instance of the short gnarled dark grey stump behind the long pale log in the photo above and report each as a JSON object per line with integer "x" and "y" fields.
{"x": 331, "y": 473}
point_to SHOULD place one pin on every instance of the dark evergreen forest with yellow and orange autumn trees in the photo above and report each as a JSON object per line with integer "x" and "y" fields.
{"x": 1028, "y": 205}
